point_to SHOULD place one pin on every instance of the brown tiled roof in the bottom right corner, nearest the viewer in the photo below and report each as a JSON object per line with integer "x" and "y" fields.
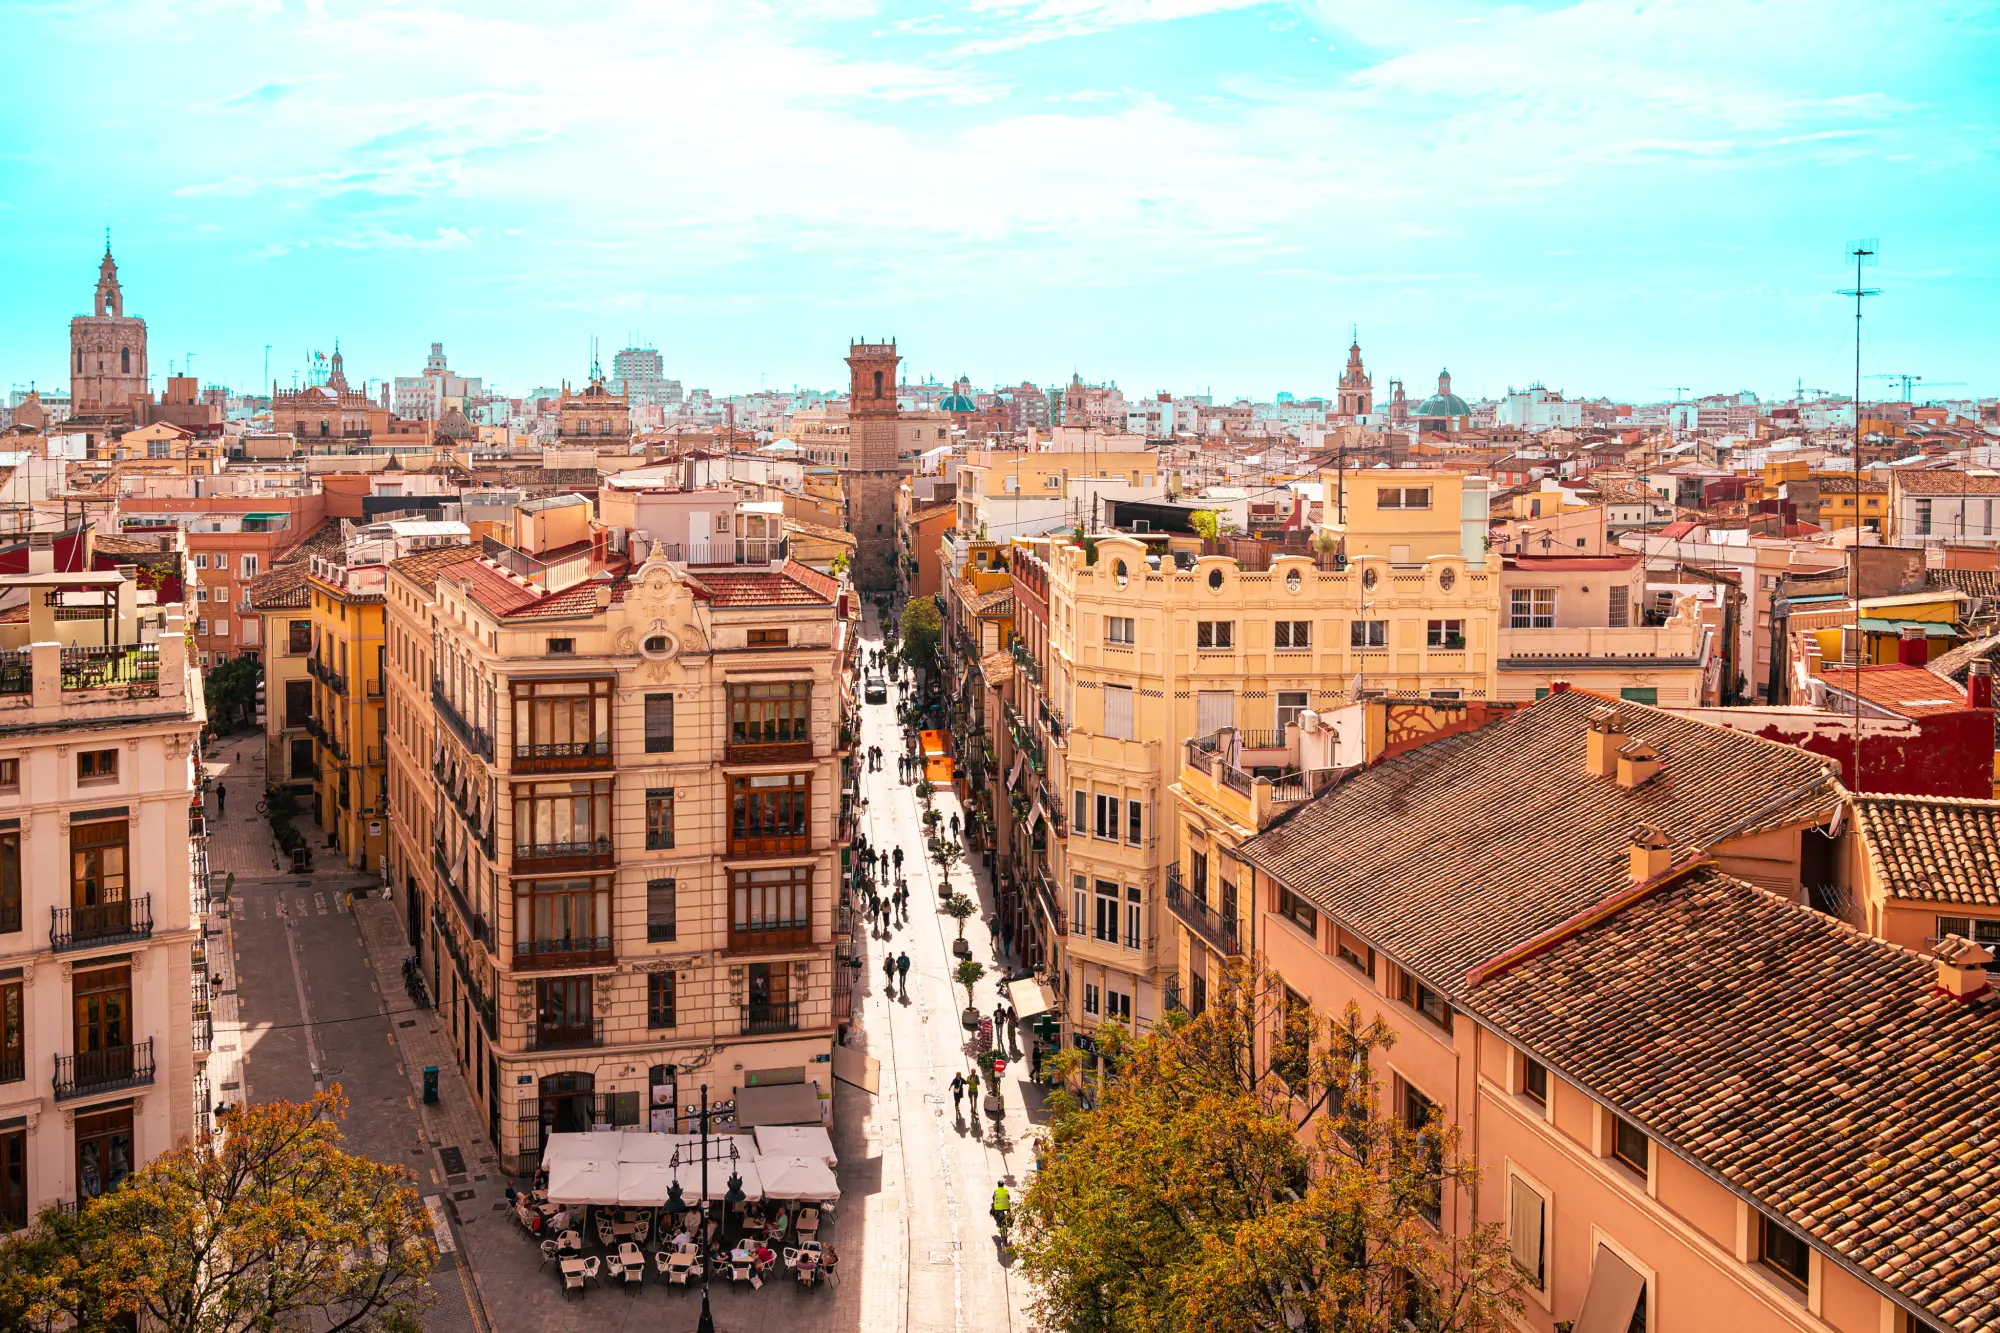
{"x": 1815, "y": 1070}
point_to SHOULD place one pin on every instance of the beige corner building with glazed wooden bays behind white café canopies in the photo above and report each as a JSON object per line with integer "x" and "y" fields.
{"x": 617, "y": 804}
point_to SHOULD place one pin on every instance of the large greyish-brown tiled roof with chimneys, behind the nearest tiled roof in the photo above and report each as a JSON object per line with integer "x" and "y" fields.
{"x": 1533, "y": 838}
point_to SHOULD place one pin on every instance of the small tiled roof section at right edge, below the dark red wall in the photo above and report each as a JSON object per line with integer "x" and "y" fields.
{"x": 1933, "y": 848}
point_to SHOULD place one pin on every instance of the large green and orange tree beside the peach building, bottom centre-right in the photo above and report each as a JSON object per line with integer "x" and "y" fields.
{"x": 1189, "y": 1196}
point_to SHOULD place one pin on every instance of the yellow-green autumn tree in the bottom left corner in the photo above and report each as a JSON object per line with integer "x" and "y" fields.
{"x": 267, "y": 1226}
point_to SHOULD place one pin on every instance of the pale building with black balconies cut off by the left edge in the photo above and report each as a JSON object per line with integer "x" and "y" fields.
{"x": 103, "y": 978}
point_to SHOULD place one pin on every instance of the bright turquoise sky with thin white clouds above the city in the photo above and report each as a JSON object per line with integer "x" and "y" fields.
{"x": 1609, "y": 197}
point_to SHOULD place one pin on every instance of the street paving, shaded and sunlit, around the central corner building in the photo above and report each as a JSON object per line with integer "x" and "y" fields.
{"x": 315, "y": 998}
